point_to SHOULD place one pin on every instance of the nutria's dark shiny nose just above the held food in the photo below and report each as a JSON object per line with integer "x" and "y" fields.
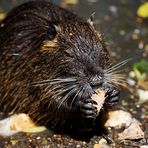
{"x": 96, "y": 81}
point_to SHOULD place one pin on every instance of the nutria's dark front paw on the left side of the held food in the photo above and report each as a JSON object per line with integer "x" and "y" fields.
{"x": 87, "y": 108}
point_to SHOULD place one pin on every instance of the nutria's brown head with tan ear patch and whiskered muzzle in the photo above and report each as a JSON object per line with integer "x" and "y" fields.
{"x": 82, "y": 60}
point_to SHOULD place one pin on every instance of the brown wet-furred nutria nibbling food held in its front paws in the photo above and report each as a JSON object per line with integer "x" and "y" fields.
{"x": 51, "y": 61}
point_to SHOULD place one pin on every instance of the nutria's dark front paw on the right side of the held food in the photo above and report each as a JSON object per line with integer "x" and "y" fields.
{"x": 112, "y": 97}
